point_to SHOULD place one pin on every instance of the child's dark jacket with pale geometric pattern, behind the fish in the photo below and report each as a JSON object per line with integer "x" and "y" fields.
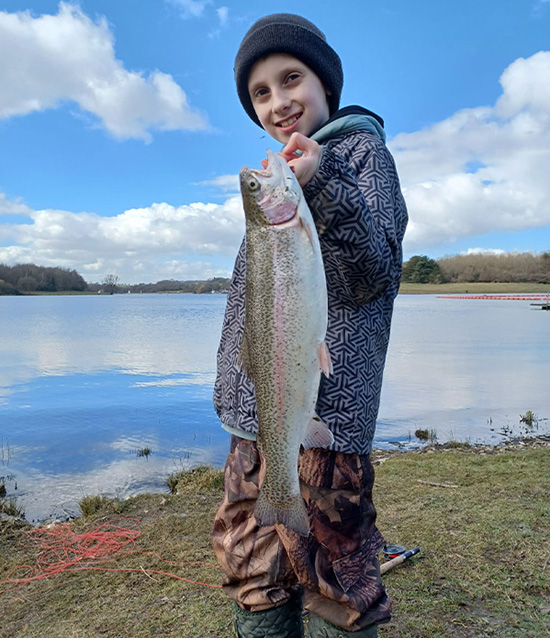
{"x": 361, "y": 216}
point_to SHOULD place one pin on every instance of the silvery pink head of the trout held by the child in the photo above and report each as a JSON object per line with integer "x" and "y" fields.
{"x": 270, "y": 195}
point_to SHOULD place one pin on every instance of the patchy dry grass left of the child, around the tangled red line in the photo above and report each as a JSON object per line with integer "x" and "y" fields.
{"x": 135, "y": 604}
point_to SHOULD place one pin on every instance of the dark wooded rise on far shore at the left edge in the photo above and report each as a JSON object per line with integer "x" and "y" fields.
{"x": 28, "y": 278}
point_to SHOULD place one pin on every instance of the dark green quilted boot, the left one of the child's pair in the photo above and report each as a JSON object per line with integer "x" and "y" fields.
{"x": 279, "y": 622}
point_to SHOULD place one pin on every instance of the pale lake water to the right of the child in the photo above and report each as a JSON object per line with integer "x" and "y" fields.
{"x": 466, "y": 368}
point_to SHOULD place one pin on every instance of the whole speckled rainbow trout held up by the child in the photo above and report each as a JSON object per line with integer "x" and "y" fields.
{"x": 283, "y": 349}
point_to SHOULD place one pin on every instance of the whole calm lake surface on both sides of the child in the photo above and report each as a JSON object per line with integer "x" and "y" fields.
{"x": 86, "y": 382}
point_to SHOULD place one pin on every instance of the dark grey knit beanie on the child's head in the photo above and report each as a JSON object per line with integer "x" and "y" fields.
{"x": 296, "y": 36}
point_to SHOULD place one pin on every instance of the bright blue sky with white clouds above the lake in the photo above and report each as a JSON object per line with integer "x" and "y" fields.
{"x": 121, "y": 134}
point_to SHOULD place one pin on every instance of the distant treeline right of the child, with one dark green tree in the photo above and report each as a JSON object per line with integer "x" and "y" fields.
{"x": 506, "y": 267}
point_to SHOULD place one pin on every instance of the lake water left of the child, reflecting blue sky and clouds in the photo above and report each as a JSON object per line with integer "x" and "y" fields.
{"x": 85, "y": 382}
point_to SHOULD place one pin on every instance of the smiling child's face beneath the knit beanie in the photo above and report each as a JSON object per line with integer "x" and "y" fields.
{"x": 287, "y": 96}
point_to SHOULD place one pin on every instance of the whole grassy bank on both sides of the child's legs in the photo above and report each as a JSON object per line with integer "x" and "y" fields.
{"x": 480, "y": 515}
